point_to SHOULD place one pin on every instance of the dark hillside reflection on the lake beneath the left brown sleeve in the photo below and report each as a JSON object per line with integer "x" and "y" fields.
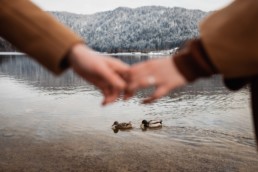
{"x": 26, "y": 70}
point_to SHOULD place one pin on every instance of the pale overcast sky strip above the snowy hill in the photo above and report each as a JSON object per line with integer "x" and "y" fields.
{"x": 92, "y": 6}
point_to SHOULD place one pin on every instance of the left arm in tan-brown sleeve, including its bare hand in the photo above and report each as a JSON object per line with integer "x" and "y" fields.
{"x": 56, "y": 47}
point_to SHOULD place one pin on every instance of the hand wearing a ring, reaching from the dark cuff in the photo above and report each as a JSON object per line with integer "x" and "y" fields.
{"x": 161, "y": 73}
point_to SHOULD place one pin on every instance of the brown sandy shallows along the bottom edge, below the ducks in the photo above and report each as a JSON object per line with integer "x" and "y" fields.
{"x": 97, "y": 151}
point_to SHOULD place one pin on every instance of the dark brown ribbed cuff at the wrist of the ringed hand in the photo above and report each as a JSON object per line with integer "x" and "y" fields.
{"x": 193, "y": 62}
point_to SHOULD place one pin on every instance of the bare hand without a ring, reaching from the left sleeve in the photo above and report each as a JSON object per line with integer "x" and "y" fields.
{"x": 102, "y": 71}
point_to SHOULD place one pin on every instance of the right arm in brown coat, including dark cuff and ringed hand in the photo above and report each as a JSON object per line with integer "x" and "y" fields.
{"x": 228, "y": 45}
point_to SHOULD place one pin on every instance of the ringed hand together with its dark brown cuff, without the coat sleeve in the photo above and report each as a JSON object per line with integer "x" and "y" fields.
{"x": 169, "y": 73}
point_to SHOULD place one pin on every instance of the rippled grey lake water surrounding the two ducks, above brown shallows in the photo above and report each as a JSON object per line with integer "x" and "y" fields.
{"x": 37, "y": 104}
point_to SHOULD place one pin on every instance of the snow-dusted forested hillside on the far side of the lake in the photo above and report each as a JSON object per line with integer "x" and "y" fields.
{"x": 128, "y": 30}
